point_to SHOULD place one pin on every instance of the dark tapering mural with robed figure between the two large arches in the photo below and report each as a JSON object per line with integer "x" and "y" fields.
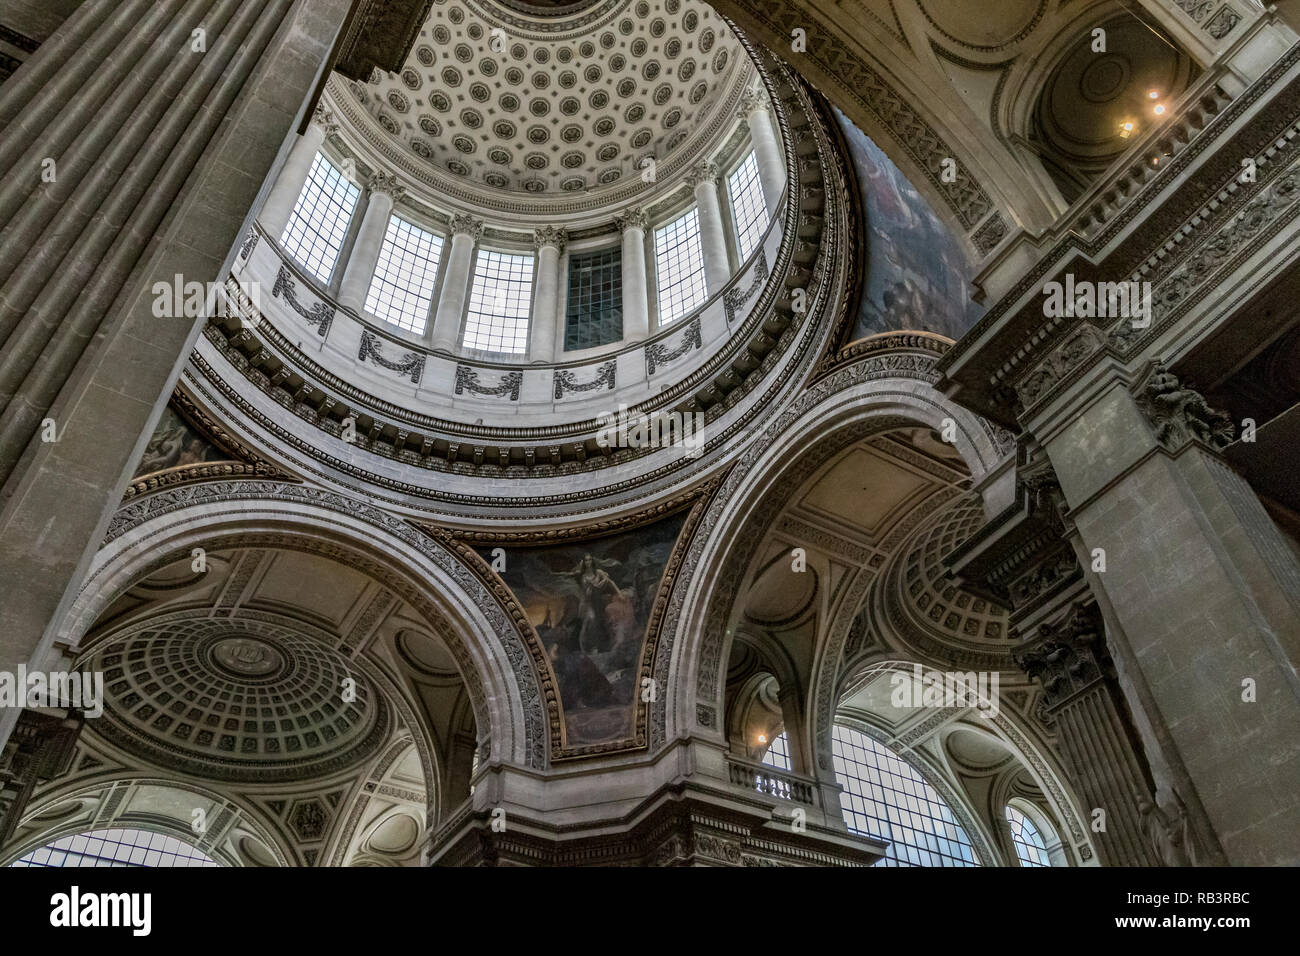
{"x": 591, "y": 604}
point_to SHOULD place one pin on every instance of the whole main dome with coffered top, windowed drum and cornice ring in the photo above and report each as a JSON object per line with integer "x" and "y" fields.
{"x": 460, "y": 335}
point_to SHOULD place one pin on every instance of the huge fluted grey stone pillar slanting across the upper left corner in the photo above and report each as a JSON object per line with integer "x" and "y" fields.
{"x": 159, "y": 155}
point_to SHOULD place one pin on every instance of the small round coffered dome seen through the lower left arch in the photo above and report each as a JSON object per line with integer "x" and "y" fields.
{"x": 236, "y": 699}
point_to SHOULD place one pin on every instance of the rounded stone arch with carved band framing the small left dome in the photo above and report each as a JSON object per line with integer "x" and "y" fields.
{"x": 153, "y": 533}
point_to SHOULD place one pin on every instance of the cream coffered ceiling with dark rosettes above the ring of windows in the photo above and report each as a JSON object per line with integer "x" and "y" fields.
{"x": 557, "y": 98}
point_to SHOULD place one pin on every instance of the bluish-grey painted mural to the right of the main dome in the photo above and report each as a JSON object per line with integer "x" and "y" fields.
{"x": 918, "y": 274}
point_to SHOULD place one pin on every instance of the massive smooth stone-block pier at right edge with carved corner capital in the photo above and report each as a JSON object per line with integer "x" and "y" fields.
{"x": 1207, "y": 595}
